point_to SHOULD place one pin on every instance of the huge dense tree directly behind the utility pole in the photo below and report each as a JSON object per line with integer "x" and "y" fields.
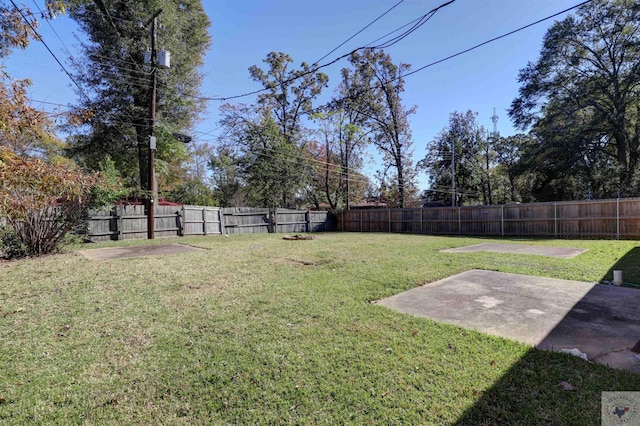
{"x": 117, "y": 81}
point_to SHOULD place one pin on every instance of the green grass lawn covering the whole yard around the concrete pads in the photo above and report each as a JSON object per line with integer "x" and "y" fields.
{"x": 258, "y": 330}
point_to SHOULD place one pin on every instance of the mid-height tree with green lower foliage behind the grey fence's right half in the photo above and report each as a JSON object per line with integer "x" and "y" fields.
{"x": 270, "y": 135}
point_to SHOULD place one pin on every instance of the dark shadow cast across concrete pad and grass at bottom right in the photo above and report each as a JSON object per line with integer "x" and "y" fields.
{"x": 548, "y": 388}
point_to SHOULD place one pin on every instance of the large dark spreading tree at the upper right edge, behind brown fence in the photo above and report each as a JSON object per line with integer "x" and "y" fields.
{"x": 589, "y": 69}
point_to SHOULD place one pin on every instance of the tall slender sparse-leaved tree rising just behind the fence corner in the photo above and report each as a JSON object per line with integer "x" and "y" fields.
{"x": 379, "y": 83}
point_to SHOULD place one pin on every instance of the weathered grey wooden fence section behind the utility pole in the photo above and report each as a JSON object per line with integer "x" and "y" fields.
{"x": 123, "y": 222}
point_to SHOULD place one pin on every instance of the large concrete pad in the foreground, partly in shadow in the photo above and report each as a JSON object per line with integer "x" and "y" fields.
{"x": 602, "y": 321}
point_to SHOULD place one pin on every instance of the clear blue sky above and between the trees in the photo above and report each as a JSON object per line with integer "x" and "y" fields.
{"x": 245, "y": 31}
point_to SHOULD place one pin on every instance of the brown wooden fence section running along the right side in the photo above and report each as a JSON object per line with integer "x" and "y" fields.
{"x": 618, "y": 218}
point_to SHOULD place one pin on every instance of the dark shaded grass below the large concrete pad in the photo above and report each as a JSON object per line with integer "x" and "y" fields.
{"x": 548, "y": 388}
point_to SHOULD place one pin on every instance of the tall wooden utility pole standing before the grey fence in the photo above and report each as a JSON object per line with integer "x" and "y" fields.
{"x": 152, "y": 121}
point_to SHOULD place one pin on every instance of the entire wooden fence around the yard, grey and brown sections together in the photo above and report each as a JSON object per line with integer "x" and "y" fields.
{"x": 575, "y": 219}
